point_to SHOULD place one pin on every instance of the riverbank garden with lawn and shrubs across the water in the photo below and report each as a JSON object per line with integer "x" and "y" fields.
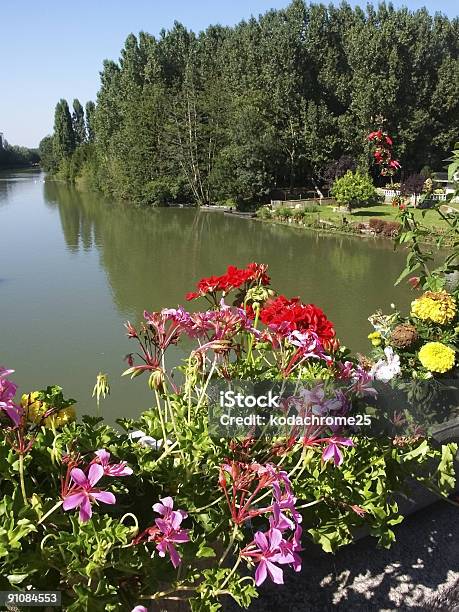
{"x": 358, "y": 207}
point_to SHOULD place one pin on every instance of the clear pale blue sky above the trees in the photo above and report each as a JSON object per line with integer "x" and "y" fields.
{"x": 51, "y": 49}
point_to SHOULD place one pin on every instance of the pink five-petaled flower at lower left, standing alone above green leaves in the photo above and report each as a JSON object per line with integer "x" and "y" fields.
{"x": 83, "y": 493}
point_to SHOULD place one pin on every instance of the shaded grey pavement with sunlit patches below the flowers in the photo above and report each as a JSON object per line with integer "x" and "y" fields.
{"x": 423, "y": 562}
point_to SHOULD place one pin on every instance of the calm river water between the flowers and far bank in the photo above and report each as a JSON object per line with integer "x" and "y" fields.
{"x": 74, "y": 267}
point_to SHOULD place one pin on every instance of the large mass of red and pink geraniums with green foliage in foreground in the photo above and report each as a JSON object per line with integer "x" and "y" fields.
{"x": 160, "y": 508}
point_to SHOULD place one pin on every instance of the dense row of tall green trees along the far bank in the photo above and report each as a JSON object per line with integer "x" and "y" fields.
{"x": 281, "y": 101}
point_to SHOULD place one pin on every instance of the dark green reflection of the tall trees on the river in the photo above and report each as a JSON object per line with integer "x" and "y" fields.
{"x": 152, "y": 257}
